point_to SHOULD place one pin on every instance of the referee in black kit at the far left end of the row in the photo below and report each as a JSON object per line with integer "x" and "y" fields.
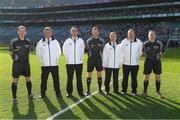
{"x": 20, "y": 48}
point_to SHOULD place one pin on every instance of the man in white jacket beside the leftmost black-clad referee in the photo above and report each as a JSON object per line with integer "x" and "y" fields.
{"x": 48, "y": 50}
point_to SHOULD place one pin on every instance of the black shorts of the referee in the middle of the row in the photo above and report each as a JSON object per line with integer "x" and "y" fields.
{"x": 97, "y": 63}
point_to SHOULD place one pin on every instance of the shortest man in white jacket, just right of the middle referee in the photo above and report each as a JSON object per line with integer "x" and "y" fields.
{"x": 111, "y": 62}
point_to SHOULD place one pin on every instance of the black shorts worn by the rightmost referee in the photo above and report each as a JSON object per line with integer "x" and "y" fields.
{"x": 150, "y": 65}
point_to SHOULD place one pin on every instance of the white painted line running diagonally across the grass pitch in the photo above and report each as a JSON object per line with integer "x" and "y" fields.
{"x": 74, "y": 104}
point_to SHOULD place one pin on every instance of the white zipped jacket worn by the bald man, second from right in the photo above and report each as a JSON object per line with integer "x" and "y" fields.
{"x": 131, "y": 51}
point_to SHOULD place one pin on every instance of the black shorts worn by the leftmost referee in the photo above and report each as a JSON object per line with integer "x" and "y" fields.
{"x": 19, "y": 69}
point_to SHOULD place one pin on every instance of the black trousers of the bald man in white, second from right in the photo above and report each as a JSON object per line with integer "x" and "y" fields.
{"x": 134, "y": 72}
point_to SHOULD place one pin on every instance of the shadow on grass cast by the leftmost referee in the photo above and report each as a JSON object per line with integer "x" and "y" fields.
{"x": 30, "y": 115}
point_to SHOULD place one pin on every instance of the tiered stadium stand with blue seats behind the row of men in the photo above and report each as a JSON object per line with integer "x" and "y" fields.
{"x": 110, "y": 15}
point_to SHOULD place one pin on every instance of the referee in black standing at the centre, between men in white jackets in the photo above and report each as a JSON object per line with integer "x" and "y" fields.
{"x": 95, "y": 46}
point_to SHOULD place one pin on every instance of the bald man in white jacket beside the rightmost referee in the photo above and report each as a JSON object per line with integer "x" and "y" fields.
{"x": 131, "y": 49}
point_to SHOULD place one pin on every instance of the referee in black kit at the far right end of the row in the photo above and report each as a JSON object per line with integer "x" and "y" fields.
{"x": 152, "y": 50}
